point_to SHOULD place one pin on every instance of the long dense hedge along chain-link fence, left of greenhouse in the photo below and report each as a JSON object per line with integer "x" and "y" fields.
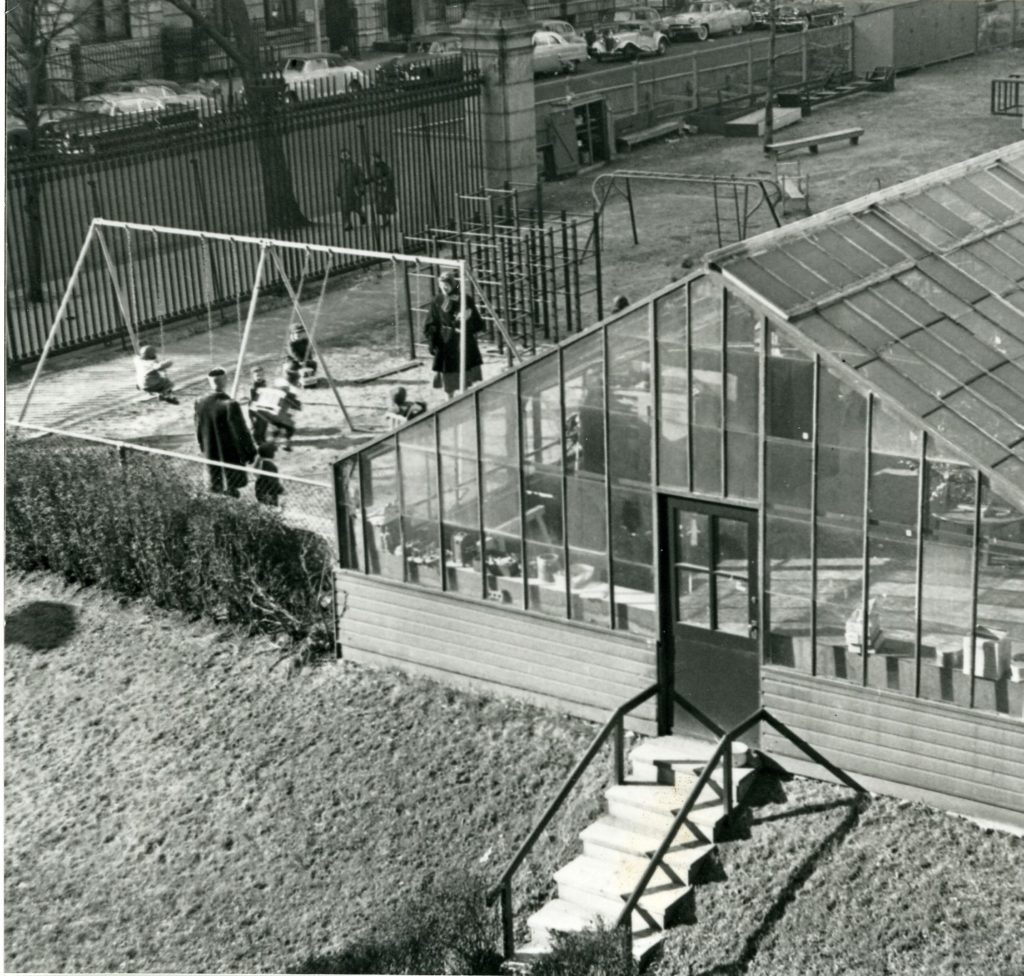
{"x": 139, "y": 528}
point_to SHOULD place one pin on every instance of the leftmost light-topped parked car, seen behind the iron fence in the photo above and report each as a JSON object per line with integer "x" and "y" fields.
{"x": 112, "y": 119}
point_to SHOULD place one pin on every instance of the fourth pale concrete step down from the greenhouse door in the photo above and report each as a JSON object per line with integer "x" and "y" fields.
{"x": 605, "y": 886}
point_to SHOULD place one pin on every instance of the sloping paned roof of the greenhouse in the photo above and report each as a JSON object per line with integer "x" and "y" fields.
{"x": 919, "y": 290}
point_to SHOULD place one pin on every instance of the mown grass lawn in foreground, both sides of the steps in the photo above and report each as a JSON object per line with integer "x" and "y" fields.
{"x": 176, "y": 805}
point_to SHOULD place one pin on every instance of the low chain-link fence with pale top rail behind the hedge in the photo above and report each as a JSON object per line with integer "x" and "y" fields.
{"x": 303, "y": 502}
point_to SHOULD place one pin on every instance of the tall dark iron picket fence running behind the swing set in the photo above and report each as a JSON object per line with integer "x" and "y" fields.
{"x": 226, "y": 169}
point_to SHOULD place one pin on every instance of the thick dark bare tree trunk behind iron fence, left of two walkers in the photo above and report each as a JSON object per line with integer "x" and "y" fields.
{"x": 264, "y": 100}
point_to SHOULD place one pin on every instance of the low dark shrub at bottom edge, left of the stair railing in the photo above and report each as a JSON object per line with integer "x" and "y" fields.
{"x": 446, "y": 927}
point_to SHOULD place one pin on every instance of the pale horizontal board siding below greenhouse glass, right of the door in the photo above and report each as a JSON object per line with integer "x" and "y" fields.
{"x": 968, "y": 762}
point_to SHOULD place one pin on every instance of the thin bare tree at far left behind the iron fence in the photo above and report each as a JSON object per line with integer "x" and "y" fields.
{"x": 36, "y": 31}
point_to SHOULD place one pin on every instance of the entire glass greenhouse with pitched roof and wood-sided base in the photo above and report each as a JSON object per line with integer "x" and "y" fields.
{"x": 794, "y": 480}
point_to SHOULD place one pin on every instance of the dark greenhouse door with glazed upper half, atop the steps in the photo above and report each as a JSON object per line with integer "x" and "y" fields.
{"x": 710, "y": 576}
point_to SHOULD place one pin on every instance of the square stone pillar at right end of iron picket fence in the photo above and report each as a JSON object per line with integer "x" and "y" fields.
{"x": 500, "y": 36}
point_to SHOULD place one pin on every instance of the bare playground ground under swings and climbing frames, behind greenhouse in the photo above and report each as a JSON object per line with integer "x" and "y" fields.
{"x": 936, "y": 117}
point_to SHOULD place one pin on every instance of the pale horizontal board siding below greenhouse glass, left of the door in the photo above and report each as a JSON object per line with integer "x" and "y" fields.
{"x": 477, "y": 646}
